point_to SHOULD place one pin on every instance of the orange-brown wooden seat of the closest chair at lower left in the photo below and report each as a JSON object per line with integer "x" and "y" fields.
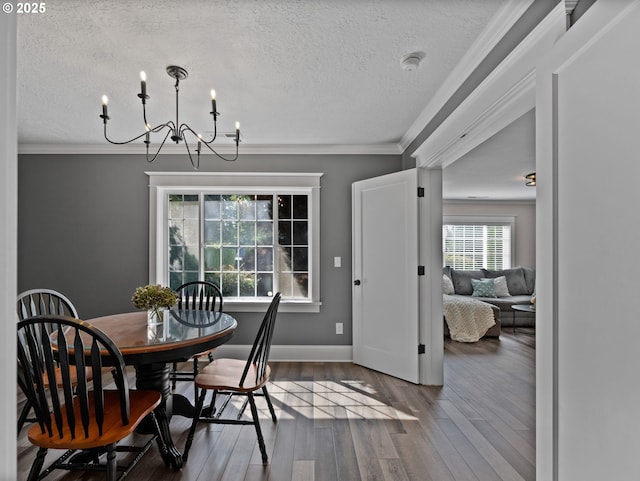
{"x": 142, "y": 403}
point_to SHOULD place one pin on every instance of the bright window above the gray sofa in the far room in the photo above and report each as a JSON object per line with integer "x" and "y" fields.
{"x": 474, "y": 243}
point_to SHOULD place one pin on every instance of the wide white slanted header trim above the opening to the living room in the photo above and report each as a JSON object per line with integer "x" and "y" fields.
{"x": 504, "y": 95}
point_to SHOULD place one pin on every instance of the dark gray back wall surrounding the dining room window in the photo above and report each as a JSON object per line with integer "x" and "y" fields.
{"x": 83, "y": 230}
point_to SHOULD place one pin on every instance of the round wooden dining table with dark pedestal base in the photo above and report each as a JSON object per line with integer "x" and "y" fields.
{"x": 149, "y": 347}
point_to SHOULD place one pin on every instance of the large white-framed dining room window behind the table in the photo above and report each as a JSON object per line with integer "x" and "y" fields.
{"x": 250, "y": 239}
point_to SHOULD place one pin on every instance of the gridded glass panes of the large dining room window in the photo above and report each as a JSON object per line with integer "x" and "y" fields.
{"x": 237, "y": 249}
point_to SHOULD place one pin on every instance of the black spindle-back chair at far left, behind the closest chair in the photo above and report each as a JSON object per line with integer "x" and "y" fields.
{"x": 41, "y": 302}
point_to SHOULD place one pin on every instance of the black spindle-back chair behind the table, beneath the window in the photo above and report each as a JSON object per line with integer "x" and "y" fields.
{"x": 196, "y": 295}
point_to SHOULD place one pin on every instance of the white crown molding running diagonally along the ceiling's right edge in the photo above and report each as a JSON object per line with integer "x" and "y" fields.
{"x": 495, "y": 30}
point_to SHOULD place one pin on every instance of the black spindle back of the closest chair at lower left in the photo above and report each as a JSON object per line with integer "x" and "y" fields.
{"x": 50, "y": 344}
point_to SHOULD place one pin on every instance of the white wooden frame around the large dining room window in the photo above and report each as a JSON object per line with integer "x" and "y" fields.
{"x": 161, "y": 184}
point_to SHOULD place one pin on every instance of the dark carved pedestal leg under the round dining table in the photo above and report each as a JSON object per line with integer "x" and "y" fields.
{"x": 156, "y": 377}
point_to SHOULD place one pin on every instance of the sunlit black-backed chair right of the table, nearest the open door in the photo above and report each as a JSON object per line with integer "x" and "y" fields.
{"x": 236, "y": 377}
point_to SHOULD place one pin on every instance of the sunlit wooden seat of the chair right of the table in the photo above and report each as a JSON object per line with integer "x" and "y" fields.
{"x": 225, "y": 375}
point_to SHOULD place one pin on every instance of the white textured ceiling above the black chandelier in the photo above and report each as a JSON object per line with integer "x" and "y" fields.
{"x": 320, "y": 73}
